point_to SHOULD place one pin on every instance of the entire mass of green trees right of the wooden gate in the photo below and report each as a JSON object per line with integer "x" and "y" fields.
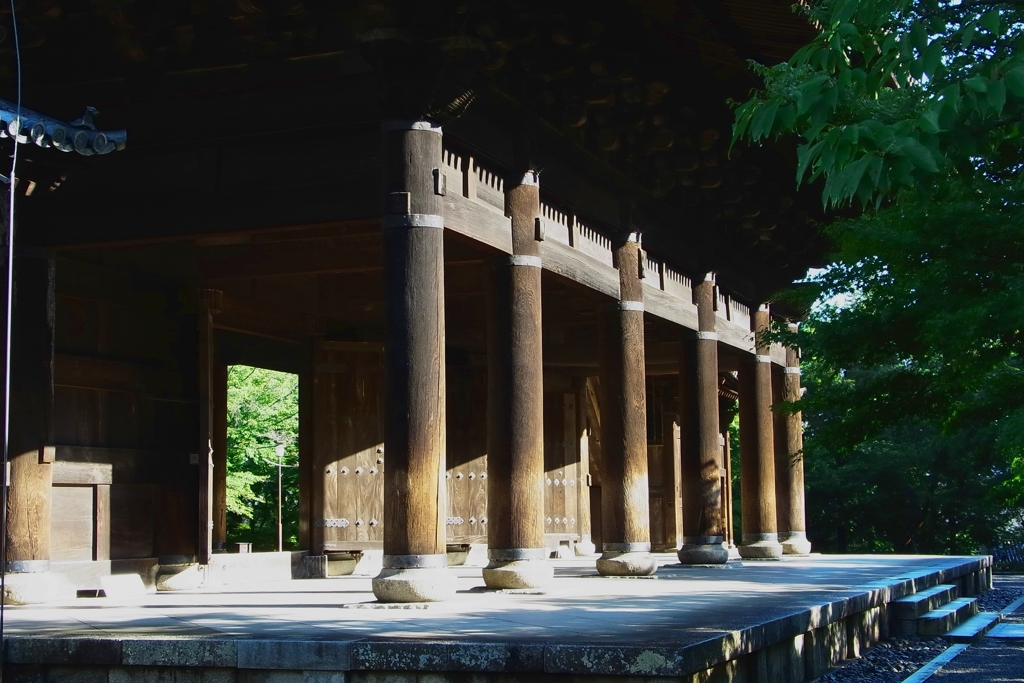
{"x": 915, "y": 412}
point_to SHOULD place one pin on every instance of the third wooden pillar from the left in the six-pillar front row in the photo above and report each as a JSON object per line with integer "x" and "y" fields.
{"x": 626, "y": 519}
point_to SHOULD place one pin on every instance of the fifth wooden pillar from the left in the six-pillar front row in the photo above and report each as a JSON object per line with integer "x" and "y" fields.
{"x": 757, "y": 453}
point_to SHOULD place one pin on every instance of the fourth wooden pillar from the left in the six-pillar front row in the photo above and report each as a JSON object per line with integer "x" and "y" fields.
{"x": 702, "y": 464}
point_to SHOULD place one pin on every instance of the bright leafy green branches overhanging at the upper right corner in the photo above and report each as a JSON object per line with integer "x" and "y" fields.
{"x": 897, "y": 95}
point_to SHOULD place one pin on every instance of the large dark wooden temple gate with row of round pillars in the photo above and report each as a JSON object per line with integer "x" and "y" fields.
{"x": 487, "y": 353}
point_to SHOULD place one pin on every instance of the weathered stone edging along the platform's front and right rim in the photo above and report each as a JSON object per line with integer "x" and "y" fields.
{"x": 459, "y": 656}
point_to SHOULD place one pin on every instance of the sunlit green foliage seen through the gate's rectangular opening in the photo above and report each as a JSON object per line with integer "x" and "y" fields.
{"x": 264, "y": 411}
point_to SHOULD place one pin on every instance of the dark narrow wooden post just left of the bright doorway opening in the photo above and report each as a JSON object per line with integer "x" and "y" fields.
{"x": 209, "y": 305}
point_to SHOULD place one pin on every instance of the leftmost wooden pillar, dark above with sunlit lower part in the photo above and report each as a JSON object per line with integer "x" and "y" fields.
{"x": 31, "y": 437}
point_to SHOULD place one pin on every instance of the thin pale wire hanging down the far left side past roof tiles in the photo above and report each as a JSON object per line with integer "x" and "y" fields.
{"x": 11, "y": 312}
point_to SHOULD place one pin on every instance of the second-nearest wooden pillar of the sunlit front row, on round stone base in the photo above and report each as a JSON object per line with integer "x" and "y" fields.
{"x": 516, "y": 403}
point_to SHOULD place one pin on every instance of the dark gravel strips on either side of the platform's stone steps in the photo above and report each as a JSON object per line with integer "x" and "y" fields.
{"x": 894, "y": 660}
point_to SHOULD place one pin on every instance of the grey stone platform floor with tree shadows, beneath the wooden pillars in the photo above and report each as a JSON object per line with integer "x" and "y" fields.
{"x": 601, "y": 622}
